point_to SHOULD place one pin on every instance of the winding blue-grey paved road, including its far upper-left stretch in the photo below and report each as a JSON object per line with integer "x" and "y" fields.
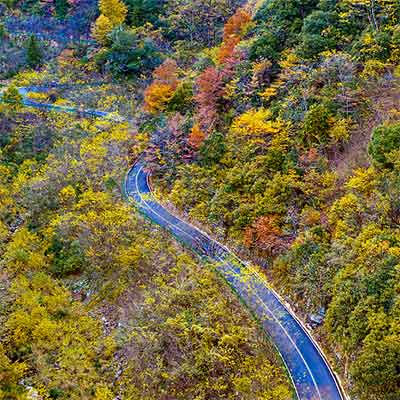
{"x": 311, "y": 375}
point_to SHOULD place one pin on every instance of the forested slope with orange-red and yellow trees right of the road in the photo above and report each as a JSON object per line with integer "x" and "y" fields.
{"x": 284, "y": 139}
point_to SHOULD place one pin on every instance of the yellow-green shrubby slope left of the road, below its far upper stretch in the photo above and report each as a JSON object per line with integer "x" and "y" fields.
{"x": 96, "y": 302}
